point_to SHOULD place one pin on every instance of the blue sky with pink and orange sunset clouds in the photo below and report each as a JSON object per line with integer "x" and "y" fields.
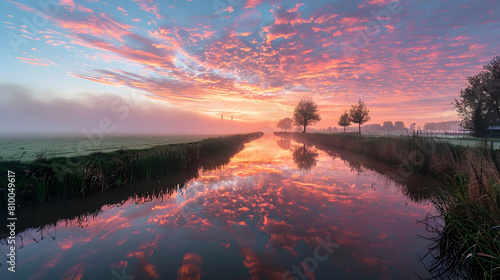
{"x": 69, "y": 64}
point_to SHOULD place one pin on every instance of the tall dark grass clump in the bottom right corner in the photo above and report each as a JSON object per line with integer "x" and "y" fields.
{"x": 467, "y": 244}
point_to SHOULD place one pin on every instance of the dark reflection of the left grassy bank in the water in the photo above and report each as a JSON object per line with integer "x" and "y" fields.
{"x": 77, "y": 211}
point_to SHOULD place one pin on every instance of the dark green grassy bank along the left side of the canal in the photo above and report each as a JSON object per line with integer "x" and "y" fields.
{"x": 69, "y": 177}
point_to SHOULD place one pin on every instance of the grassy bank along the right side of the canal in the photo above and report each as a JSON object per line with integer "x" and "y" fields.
{"x": 470, "y": 207}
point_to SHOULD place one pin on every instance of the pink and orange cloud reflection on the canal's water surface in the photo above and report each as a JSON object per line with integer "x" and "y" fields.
{"x": 257, "y": 217}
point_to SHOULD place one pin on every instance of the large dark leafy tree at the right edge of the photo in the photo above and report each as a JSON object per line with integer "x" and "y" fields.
{"x": 479, "y": 104}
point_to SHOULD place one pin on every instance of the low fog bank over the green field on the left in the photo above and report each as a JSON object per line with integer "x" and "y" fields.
{"x": 24, "y": 112}
